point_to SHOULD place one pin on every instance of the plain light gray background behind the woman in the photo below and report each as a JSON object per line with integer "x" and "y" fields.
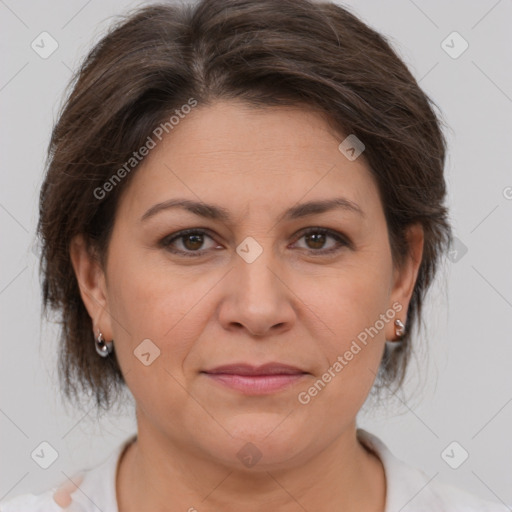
{"x": 460, "y": 385}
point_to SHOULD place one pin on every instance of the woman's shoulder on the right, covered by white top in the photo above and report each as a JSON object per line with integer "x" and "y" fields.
{"x": 409, "y": 489}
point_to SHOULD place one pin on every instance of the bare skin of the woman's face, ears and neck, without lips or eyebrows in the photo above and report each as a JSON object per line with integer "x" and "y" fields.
{"x": 289, "y": 305}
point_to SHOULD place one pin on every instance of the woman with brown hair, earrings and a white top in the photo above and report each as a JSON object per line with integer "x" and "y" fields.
{"x": 242, "y": 213}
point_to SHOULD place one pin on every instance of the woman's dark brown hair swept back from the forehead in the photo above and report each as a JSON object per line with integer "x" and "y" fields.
{"x": 266, "y": 53}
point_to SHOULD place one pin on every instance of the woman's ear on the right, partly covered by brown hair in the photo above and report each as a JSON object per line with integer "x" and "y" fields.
{"x": 405, "y": 275}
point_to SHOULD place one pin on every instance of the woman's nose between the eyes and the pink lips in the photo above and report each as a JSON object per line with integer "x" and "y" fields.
{"x": 257, "y": 298}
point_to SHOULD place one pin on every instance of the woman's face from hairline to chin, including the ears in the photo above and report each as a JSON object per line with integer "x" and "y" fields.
{"x": 252, "y": 287}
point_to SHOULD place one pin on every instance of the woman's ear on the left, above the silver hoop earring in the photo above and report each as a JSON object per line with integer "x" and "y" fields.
{"x": 92, "y": 283}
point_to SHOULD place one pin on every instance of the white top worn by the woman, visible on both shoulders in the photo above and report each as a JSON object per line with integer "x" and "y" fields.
{"x": 407, "y": 489}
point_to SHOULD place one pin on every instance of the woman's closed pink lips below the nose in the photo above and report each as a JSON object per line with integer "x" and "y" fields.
{"x": 268, "y": 378}
